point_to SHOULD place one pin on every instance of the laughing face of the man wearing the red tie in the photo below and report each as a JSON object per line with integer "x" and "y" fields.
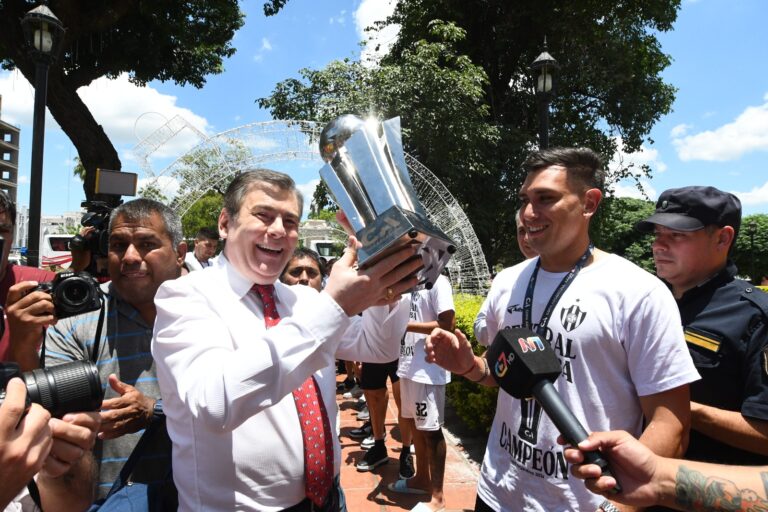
{"x": 260, "y": 240}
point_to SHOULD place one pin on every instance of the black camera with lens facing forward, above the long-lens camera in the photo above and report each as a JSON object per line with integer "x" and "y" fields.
{"x": 73, "y": 293}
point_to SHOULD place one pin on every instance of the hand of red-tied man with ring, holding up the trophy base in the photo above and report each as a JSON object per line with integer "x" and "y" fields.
{"x": 382, "y": 283}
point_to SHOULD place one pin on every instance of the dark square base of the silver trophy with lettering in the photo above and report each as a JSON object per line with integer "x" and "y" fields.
{"x": 396, "y": 227}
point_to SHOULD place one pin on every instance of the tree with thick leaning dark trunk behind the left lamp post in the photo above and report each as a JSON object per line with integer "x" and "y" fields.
{"x": 165, "y": 40}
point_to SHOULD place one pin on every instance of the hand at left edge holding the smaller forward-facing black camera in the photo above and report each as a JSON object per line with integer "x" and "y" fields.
{"x": 28, "y": 313}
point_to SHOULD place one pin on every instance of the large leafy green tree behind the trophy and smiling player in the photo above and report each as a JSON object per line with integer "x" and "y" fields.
{"x": 459, "y": 76}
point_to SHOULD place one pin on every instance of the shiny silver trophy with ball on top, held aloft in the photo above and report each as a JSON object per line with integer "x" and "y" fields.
{"x": 368, "y": 178}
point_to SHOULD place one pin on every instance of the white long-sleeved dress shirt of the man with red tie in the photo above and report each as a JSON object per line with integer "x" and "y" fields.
{"x": 226, "y": 382}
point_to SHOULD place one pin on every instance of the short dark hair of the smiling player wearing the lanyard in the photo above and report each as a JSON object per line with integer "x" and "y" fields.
{"x": 583, "y": 164}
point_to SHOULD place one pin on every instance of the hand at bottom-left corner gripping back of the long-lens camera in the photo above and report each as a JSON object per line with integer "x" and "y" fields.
{"x": 25, "y": 441}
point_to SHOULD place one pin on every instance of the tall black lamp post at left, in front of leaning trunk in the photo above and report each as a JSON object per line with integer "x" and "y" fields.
{"x": 43, "y": 34}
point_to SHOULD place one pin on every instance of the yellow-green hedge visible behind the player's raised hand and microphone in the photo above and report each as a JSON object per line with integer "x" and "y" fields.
{"x": 473, "y": 403}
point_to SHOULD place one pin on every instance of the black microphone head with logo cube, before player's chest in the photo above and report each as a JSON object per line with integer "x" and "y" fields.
{"x": 518, "y": 358}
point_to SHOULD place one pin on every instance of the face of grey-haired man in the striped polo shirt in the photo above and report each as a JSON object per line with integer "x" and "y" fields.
{"x": 141, "y": 257}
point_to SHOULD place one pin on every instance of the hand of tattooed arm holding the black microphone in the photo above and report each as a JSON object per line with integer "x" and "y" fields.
{"x": 633, "y": 464}
